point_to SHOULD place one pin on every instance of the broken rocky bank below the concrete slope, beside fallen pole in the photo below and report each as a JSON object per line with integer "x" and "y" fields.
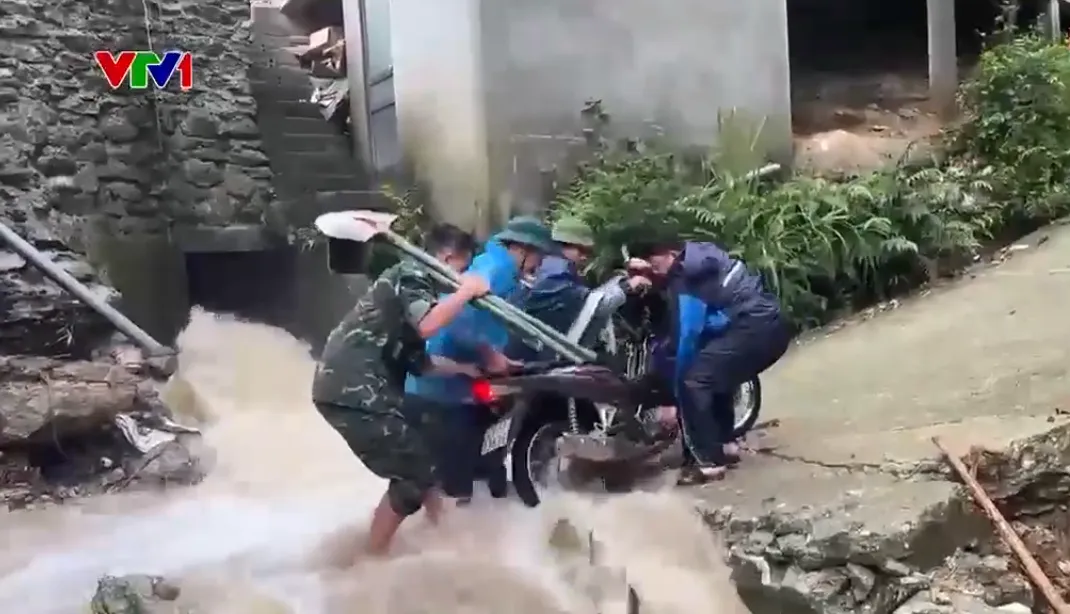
{"x": 947, "y": 559}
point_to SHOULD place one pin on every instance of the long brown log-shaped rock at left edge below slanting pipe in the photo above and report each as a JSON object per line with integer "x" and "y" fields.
{"x": 43, "y": 400}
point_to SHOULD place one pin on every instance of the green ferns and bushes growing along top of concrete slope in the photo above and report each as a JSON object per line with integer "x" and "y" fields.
{"x": 828, "y": 247}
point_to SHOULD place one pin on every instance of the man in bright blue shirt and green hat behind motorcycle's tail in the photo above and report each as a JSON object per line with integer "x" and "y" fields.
{"x": 476, "y": 336}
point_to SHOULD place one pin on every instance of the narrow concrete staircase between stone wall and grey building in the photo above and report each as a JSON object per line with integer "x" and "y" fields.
{"x": 314, "y": 168}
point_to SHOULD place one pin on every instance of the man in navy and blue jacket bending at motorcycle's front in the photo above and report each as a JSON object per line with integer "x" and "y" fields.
{"x": 727, "y": 330}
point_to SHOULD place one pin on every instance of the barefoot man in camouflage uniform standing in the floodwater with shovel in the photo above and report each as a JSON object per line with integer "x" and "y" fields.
{"x": 359, "y": 382}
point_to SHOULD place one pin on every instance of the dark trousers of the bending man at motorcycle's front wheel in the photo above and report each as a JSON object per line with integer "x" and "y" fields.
{"x": 725, "y": 363}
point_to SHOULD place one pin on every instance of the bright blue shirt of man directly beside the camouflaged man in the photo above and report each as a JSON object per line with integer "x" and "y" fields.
{"x": 461, "y": 341}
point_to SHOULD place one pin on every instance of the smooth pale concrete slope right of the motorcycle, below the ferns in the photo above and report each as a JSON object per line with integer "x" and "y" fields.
{"x": 982, "y": 361}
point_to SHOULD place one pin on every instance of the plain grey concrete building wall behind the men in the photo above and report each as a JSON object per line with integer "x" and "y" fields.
{"x": 490, "y": 93}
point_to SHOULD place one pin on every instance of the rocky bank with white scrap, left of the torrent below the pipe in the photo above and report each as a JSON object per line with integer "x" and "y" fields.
{"x": 60, "y": 439}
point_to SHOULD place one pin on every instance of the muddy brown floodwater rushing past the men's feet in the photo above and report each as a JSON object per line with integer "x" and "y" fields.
{"x": 274, "y": 528}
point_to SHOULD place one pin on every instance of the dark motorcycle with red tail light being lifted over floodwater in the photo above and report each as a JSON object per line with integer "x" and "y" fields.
{"x": 603, "y": 416}
